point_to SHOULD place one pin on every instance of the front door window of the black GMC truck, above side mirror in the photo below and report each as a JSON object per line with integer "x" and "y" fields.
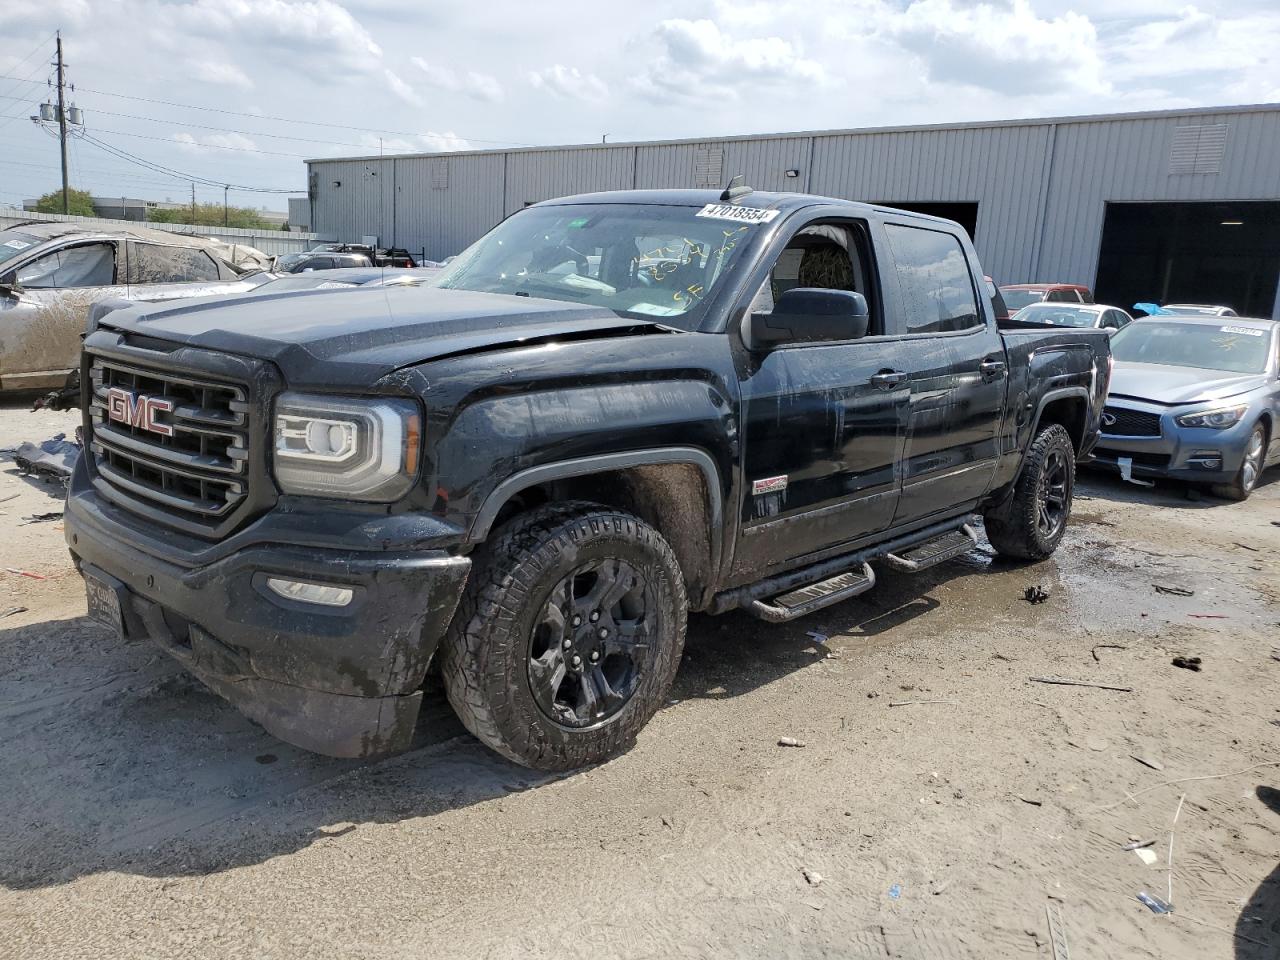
{"x": 824, "y": 257}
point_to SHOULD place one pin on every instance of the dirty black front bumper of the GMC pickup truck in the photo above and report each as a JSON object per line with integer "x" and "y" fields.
{"x": 341, "y": 682}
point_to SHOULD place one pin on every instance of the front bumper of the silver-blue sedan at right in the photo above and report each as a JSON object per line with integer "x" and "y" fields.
{"x": 1181, "y": 452}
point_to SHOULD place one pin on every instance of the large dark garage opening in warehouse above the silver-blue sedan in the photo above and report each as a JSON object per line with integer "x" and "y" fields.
{"x": 1204, "y": 253}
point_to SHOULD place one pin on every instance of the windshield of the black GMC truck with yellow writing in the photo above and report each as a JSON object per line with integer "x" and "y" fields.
{"x": 641, "y": 260}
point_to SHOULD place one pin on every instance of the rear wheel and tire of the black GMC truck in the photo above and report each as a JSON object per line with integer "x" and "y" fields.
{"x": 1030, "y": 525}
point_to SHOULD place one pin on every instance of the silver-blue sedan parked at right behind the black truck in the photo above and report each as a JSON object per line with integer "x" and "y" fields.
{"x": 1196, "y": 400}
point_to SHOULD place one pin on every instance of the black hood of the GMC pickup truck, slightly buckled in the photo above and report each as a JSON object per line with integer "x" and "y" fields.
{"x": 359, "y": 336}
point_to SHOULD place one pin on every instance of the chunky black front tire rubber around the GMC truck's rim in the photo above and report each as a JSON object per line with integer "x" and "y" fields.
{"x": 504, "y": 574}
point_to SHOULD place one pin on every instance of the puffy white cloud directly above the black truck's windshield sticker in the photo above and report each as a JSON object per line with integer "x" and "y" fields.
{"x": 697, "y": 60}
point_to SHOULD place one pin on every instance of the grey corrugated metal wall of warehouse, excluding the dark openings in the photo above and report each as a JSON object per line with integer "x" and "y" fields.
{"x": 1041, "y": 188}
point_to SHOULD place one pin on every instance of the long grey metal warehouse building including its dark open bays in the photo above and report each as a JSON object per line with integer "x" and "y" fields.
{"x": 1167, "y": 207}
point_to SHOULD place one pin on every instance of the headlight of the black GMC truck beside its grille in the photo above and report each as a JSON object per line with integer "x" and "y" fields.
{"x": 342, "y": 447}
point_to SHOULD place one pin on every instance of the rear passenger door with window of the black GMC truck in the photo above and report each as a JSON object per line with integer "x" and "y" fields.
{"x": 958, "y": 371}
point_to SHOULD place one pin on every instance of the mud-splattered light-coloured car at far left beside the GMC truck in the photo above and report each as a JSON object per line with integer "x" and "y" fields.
{"x": 52, "y": 273}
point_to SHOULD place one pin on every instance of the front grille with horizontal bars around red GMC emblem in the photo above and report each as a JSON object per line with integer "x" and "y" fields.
{"x": 198, "y": 476}
